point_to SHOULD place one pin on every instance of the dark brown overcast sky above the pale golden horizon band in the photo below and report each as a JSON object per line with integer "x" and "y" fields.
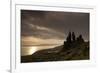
{"x": 53, "y": 25}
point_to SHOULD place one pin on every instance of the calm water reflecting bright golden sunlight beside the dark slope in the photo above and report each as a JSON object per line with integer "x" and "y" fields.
{"x": 28, "y": 50}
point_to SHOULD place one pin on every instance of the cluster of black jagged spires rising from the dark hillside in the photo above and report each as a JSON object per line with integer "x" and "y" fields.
{"x": 72, "y": 41}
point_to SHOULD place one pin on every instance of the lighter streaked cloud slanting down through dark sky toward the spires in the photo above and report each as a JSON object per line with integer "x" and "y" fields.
{"x": 44, "y": 32}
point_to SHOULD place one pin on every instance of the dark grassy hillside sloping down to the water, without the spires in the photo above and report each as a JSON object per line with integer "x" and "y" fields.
{"x": 60, "y": 53}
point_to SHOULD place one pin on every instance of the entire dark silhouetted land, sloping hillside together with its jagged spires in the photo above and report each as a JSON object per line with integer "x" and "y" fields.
{"x": 74, "y": 48}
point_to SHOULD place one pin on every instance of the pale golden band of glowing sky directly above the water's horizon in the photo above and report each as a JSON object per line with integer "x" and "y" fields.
{"x": 30, "y": 40}
